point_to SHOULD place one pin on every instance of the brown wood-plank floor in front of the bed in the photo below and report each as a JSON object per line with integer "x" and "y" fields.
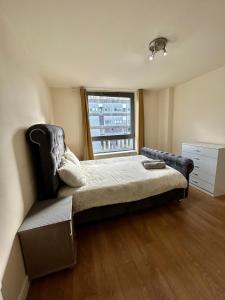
{"x": 175, "y": 252}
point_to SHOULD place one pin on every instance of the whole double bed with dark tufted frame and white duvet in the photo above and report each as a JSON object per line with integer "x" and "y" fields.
{"x": 114, "y": 186}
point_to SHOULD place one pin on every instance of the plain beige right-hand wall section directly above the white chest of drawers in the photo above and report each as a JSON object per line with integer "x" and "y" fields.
{"x": 199, "y": 110}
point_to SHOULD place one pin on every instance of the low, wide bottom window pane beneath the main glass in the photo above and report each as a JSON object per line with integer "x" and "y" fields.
{"x": 113, "y": 145}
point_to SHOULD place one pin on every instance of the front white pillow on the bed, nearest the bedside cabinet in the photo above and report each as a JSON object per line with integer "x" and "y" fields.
{"x": 71, "y": 174}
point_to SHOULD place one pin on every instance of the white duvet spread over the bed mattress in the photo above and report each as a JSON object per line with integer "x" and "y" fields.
{"x": 123, "y": 179}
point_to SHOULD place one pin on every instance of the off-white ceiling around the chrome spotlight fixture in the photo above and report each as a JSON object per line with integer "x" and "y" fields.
{"x": 102, "y": 43}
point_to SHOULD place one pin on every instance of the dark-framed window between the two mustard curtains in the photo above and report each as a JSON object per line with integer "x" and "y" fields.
{"x": 111, "y": 117}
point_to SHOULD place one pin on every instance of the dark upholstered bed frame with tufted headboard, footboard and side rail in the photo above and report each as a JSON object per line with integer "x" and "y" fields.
{"x": 47, "y": 144}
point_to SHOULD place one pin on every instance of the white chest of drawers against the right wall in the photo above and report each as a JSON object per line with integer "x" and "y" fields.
{"x": 209, "y": 166}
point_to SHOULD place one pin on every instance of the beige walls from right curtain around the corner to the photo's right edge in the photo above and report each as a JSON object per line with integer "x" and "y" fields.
{"x": 193, "y": 111}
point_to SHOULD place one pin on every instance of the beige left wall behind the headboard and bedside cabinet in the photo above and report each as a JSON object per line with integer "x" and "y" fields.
{"x": 24, "y": 100}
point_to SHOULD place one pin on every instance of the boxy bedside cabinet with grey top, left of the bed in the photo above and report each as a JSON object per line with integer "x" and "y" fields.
{"x": 47, "y": 237}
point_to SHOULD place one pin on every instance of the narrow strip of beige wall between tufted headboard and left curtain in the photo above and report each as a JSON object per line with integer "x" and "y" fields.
{"x": 67, "y": 114}
